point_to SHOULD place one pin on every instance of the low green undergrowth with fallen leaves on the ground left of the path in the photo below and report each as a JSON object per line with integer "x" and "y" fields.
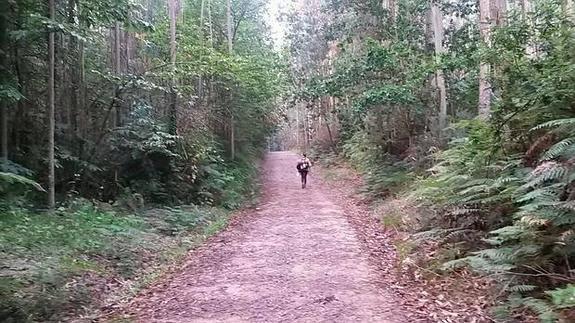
{"x": 56, "y": 264}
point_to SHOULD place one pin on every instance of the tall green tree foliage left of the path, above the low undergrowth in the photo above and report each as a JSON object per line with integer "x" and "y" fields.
{"x": 117, "y": 131}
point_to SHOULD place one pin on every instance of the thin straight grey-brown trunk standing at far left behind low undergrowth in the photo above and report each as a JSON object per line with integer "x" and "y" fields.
{"x": 51, "y": 111}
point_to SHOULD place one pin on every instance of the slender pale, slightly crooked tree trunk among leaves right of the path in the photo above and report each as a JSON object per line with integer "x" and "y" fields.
{"x": 437, "y": 26}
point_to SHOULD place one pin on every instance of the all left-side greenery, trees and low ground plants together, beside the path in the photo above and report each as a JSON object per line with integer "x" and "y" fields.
{"x": 154, "y": 105}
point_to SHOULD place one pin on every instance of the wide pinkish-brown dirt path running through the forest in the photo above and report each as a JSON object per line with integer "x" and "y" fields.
{"x": 297, "y": 259}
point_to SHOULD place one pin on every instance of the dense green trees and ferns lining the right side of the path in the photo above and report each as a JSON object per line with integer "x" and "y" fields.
{"x": 502, "y": 184}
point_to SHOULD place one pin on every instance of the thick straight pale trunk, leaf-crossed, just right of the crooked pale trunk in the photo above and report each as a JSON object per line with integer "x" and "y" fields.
{"x": 484, "y": 109}
